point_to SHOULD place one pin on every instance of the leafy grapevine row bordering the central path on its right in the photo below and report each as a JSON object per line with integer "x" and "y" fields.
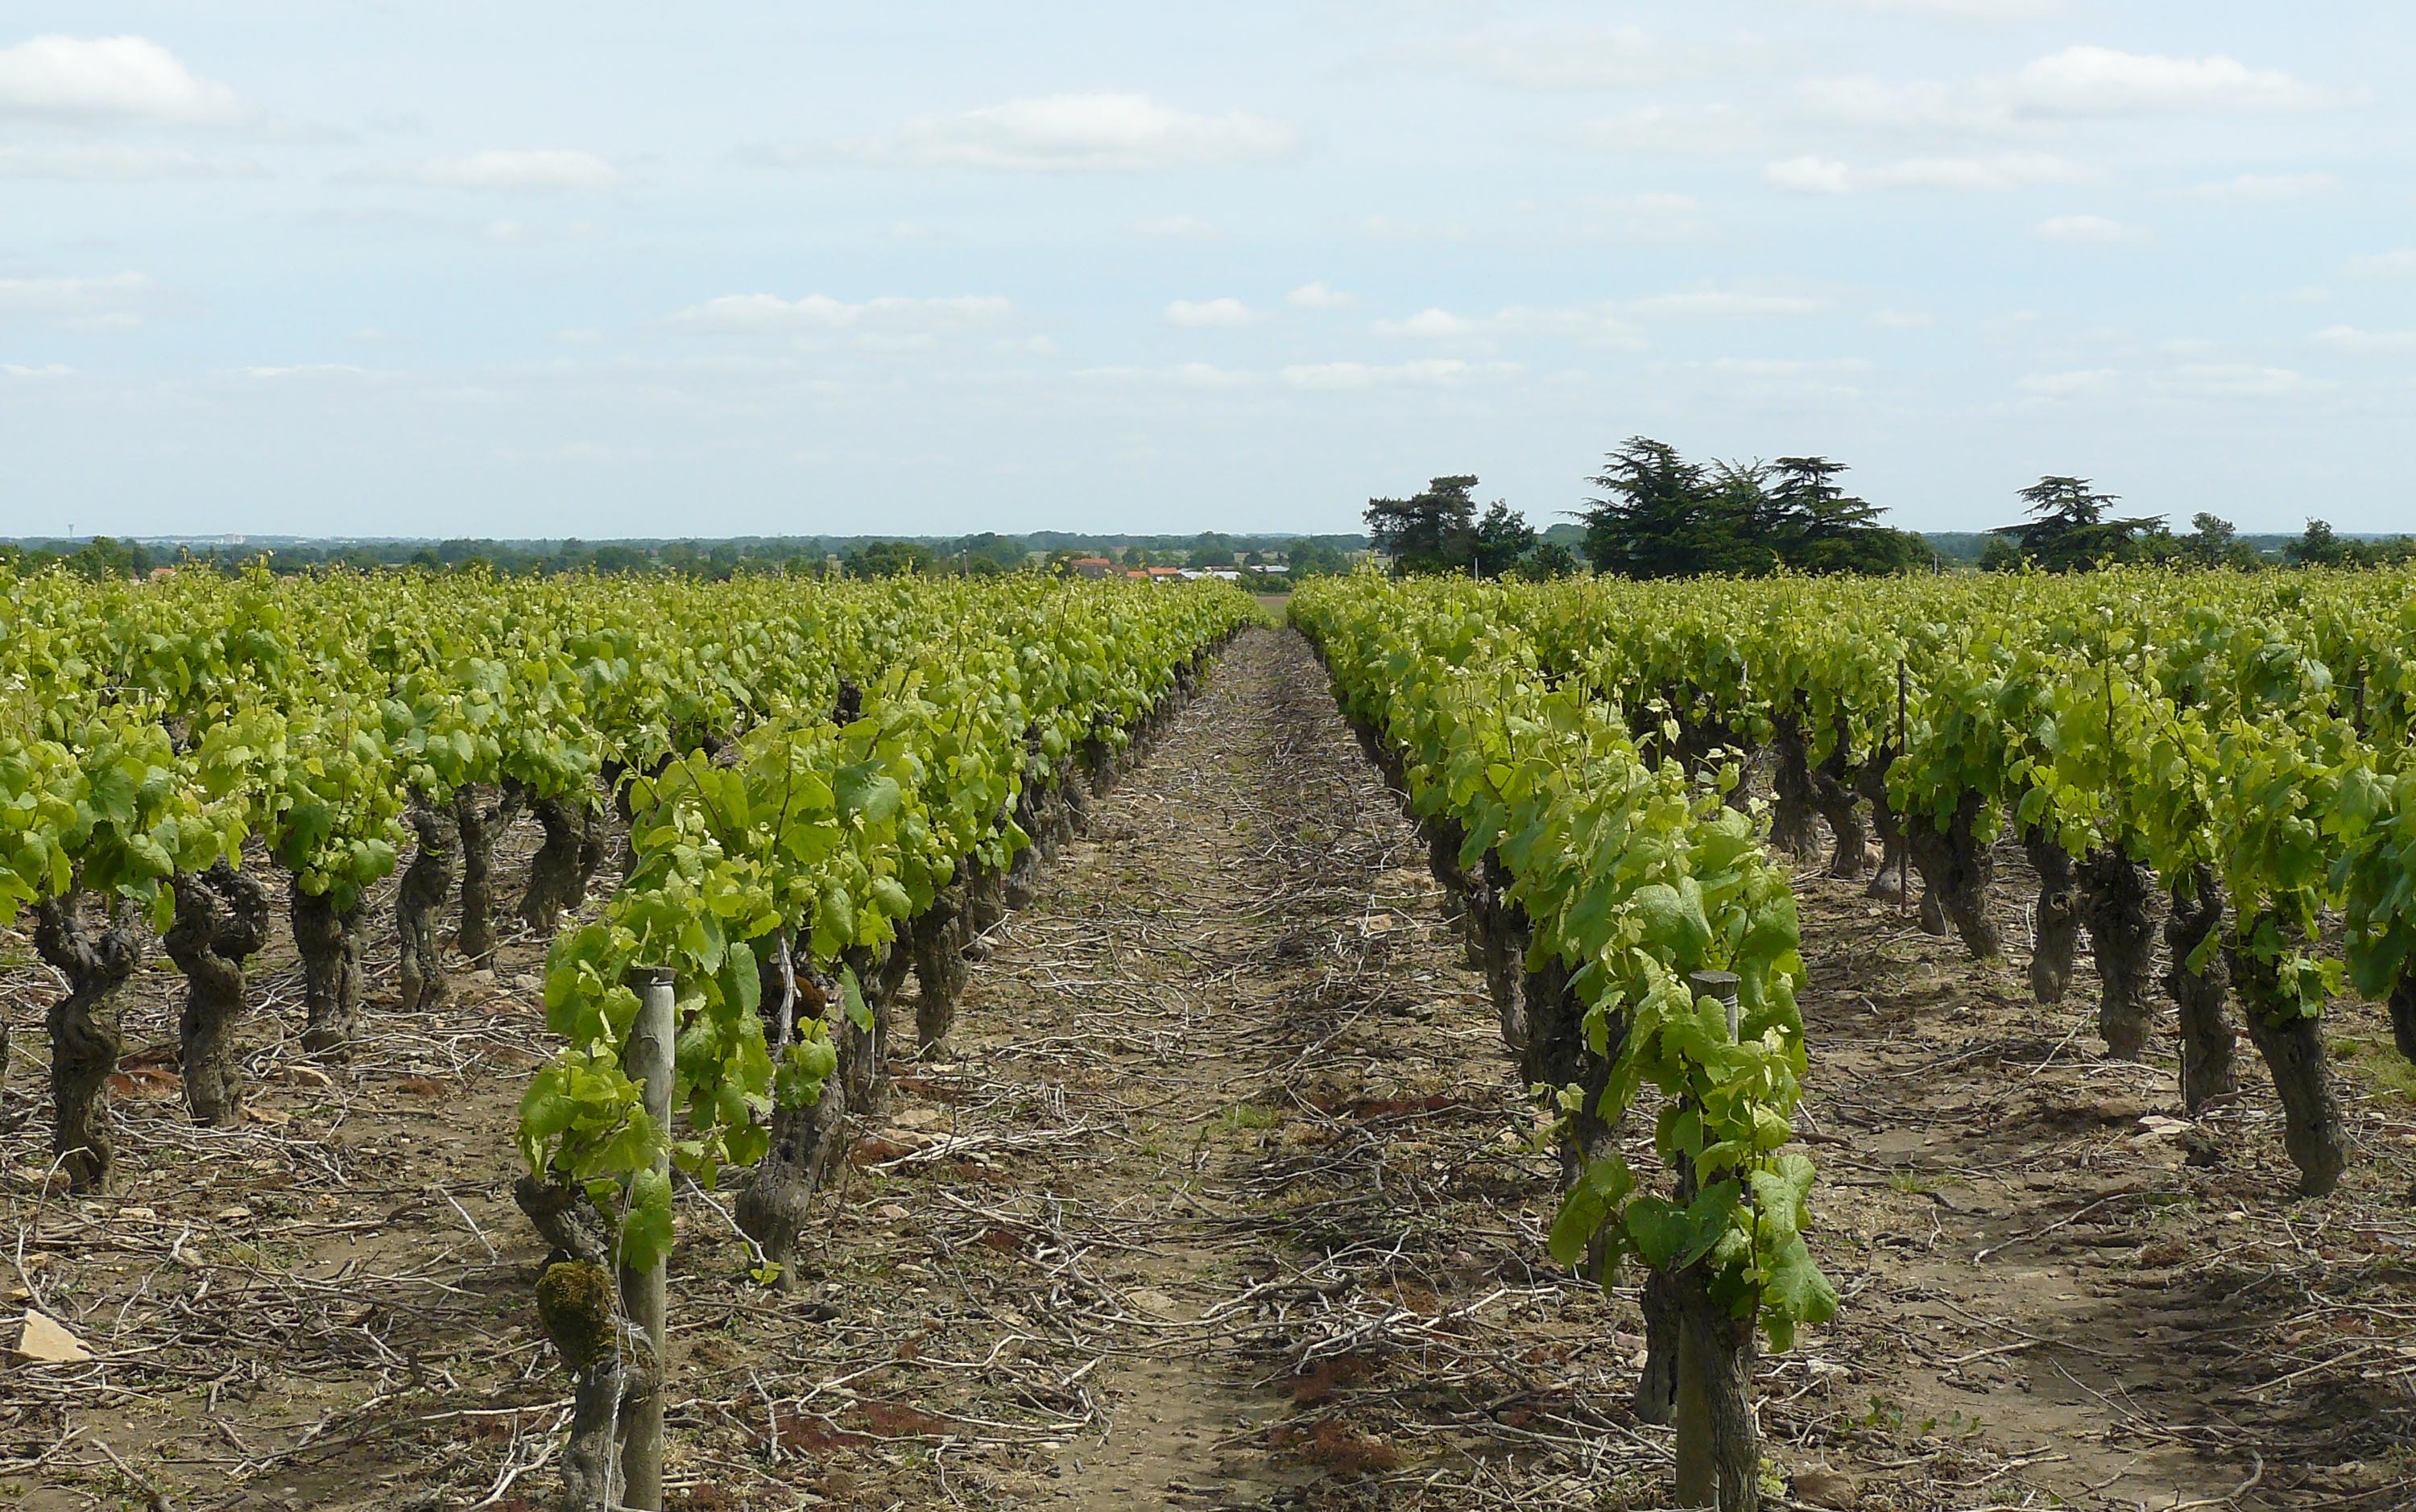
{"x": 1651, "y": 946}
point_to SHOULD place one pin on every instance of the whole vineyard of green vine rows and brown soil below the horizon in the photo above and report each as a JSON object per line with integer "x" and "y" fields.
{"x": 1018, "y": 1042}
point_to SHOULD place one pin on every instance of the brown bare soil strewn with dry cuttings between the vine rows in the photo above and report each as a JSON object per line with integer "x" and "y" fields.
{"x": 1224, "y": 1197}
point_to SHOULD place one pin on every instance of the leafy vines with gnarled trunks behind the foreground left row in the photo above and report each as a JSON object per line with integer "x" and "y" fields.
{"x": 156, "y": 733}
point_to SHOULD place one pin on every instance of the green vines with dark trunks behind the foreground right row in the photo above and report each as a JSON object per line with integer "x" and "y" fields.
{"x": 2238, "y": 745}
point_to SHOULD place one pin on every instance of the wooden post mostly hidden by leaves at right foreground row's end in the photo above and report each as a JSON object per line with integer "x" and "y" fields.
{"x": 1719, "y": 1453}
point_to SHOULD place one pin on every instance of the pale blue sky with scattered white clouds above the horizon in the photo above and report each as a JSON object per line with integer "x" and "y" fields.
{"x": 533, "y": 269}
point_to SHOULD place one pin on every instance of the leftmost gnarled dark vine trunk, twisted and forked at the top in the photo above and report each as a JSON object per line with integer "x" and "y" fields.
{"x": 95, "y": 958}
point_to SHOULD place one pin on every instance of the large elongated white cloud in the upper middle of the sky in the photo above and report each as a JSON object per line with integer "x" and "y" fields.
{"x": 1076, "y": 134}
